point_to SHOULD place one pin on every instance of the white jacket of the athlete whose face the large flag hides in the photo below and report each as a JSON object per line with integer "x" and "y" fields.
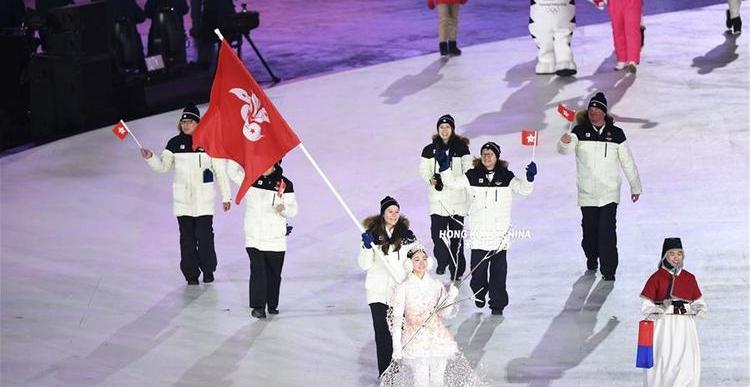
{"x": 265, "y": 229}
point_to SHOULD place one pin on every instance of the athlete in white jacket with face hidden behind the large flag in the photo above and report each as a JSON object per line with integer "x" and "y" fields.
{"x": 269, "y": 202}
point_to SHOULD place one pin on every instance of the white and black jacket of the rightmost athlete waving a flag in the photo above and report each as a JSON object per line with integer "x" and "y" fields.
{"x": 599, "y": 158}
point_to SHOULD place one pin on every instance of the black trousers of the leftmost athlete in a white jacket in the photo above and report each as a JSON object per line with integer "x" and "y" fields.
{"x": 196, "y": 245}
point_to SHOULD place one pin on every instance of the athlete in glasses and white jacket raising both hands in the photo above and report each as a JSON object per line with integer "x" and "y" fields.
{"x": 490, "y": 186}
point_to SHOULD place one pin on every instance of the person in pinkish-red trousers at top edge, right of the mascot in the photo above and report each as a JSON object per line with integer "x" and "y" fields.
{"x": 626, "y": 31}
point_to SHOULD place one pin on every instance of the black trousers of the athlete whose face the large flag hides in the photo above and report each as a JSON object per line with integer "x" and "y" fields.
{"x": 265, "y": 277}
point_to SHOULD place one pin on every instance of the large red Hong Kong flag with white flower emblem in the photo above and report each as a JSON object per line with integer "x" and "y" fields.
{"x": 241, "y": 123}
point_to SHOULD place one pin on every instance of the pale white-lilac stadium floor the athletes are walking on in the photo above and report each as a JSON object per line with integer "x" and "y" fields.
{"x": 91, "y": 288}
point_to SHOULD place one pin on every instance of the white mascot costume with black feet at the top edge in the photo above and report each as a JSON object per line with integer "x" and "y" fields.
{"x": 551, "y": 25}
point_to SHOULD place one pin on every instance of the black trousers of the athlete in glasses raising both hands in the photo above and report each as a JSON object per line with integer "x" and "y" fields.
{"x": 490, "y": 277}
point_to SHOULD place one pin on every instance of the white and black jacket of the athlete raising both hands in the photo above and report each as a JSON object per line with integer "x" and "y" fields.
{"x": 490, "y": 202}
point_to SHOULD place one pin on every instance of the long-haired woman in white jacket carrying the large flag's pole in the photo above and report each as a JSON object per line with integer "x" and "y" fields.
{"x": 384, "y": 247}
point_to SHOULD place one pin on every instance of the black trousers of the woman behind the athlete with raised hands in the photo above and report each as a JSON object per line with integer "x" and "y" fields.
{"x": 440, "y": 251}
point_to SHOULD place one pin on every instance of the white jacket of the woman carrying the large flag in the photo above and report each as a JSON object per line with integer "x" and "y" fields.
{"x": 384, "y": 271}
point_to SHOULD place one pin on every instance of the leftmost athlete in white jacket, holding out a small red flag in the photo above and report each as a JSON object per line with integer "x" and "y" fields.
{"x": 194, "y": 192}
